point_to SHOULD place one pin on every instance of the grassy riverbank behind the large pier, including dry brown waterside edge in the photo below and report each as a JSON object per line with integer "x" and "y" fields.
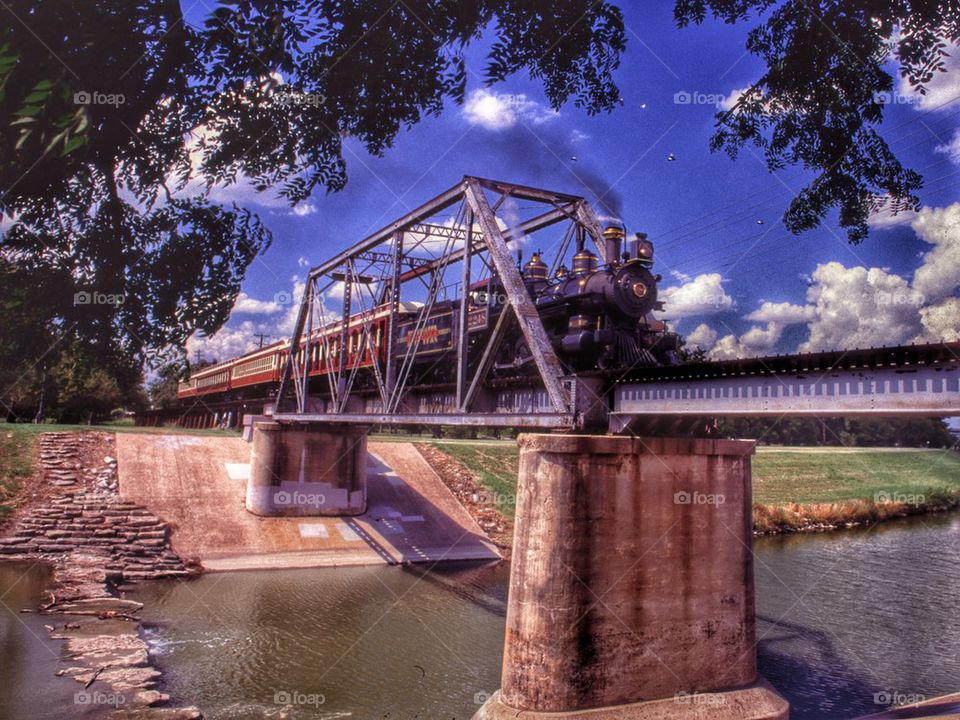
{"x": 793, "y": 488}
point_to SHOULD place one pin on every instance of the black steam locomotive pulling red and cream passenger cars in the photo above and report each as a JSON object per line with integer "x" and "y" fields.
{"x": 599, "y": 320}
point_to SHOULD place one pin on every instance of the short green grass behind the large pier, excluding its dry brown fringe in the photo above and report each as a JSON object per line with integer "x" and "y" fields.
{"x": 780, "y": 475}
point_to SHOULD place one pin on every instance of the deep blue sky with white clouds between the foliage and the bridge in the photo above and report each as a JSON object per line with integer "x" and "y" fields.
{"x": 734, "y": 280}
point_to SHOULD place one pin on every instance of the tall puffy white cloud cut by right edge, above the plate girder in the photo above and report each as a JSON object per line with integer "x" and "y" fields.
{"x": 939, "y": 273}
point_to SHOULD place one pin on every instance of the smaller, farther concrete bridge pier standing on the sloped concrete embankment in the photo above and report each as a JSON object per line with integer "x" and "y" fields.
{"x": 307, "y": 469}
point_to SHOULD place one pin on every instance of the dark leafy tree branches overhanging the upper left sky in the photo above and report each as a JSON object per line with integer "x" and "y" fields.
{"x": 96, "y": 100}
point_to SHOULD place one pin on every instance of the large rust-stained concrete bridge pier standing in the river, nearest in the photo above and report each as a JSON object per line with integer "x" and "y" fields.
{"x": 631, "y": 589}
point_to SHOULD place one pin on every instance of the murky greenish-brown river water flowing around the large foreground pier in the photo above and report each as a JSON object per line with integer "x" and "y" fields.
{"x": 846, "y": 621}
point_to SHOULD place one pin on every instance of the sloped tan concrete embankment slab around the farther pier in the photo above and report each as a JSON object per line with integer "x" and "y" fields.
{"x": 195, "y": 484}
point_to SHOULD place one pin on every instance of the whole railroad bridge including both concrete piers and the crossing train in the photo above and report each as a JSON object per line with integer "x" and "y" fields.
{"x": 632, "y": 583}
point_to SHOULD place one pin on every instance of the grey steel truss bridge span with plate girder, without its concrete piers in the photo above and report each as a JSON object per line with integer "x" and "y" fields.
{"x": 468, "y": 233}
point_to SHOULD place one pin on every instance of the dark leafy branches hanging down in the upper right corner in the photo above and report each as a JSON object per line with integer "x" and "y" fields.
{"x": 821, "y": 98}
